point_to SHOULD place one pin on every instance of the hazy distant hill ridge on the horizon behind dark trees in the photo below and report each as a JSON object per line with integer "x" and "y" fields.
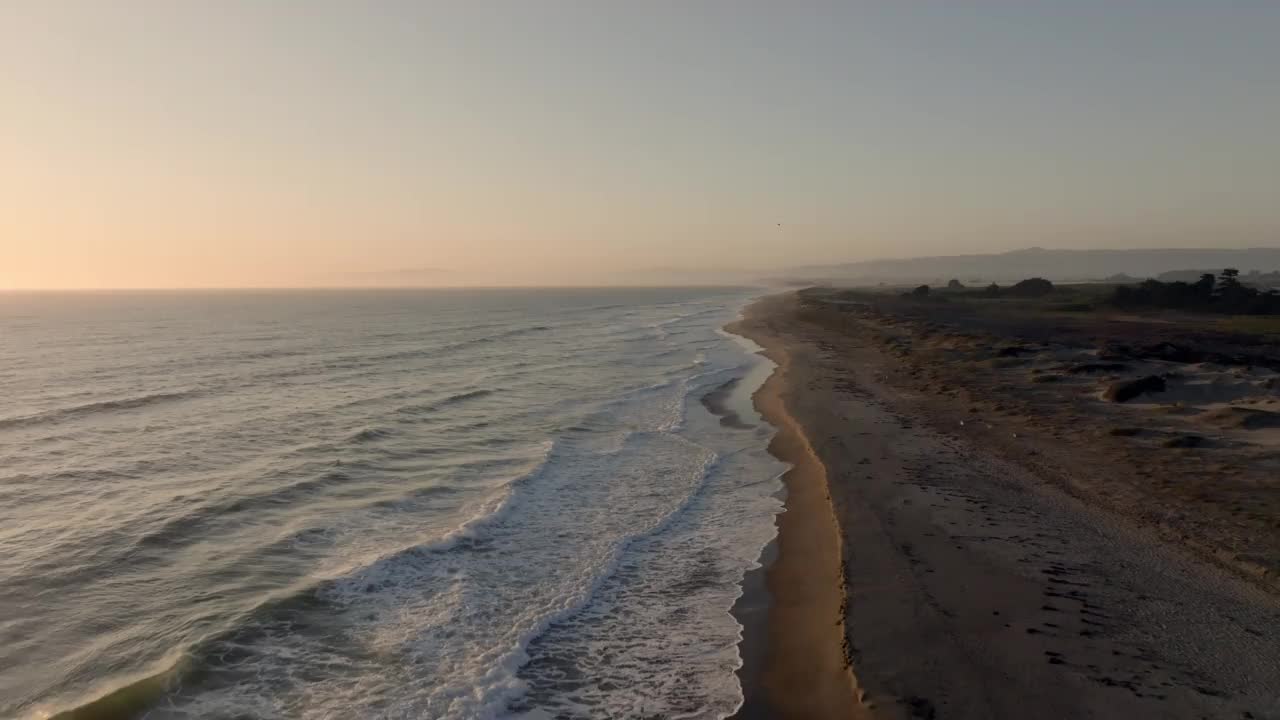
{"x": 1060, "y": 266}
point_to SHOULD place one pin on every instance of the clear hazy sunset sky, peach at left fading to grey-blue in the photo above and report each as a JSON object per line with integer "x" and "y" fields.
{"x": 276, "y": 144}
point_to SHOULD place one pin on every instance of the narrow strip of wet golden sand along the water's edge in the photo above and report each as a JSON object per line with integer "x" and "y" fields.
{"x": 796, "y": 662}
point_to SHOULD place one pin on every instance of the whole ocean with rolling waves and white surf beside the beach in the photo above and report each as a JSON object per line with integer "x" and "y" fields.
{"x": 377, "y": 504}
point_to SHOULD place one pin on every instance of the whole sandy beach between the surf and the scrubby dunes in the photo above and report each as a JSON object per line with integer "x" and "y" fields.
{"x": 939, "y": 559}
